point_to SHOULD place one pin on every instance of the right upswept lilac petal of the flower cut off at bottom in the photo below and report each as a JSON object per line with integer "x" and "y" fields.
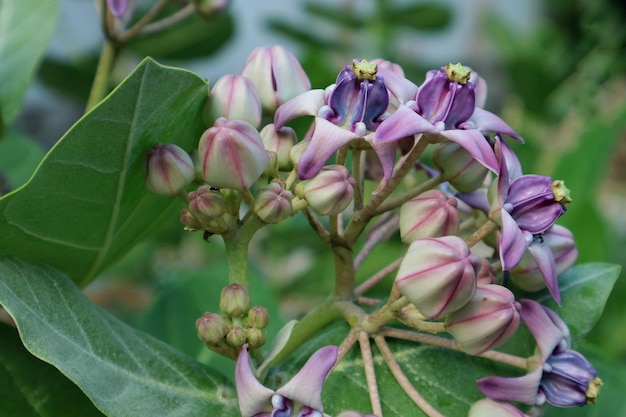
{"x": 306, "y": 386}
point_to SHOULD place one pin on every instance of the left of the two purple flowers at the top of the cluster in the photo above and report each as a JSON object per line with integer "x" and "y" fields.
{"x": 349, "y": 110}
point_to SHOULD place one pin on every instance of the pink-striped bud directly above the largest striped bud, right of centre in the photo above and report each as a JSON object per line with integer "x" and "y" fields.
{"x": 431, "y": 214}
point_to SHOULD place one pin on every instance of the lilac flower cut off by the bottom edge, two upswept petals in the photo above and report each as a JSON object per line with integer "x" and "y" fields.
{"x": 302, "y": 394}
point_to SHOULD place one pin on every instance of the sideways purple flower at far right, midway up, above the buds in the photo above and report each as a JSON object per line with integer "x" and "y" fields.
{"x": 526, "y": 206}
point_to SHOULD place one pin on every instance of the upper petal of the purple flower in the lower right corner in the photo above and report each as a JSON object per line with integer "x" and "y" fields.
{"x": 547, "y": 334}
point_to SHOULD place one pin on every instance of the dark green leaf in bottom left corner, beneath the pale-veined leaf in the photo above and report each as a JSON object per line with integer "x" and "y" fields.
{"x": 32, "y": 388}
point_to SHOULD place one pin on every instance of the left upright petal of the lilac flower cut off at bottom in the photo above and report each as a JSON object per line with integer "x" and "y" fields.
{"x": 253, "y": 397}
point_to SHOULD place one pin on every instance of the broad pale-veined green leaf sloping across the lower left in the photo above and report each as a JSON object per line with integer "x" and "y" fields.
{"x": 123, "y": 371}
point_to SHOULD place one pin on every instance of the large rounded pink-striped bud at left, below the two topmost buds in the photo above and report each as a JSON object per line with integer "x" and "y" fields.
{"x": 232, "y": 154}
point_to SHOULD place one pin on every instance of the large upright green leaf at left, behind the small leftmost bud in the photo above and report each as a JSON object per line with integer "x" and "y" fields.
{"x": 87, "y": 204}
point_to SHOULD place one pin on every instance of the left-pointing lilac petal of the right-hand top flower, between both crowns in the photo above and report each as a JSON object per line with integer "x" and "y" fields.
{"x": 403, "y": 123}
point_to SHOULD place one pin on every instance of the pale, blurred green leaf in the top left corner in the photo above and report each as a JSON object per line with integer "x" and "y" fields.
{"x": 25, "y": 28}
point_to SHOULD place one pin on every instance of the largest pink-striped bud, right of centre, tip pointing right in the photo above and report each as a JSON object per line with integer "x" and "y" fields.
{"x": 438, "y": 275}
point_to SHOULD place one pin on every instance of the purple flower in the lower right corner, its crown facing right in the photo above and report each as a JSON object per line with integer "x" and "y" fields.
{"x": 562, "y": 377}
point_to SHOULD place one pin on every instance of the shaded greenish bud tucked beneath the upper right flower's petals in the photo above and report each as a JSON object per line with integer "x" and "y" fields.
{"x": 459, "y": 167}
